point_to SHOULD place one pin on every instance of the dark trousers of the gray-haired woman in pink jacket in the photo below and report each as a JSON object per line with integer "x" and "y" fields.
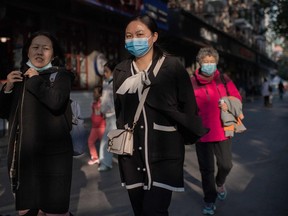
{"x": 205, "y": 154}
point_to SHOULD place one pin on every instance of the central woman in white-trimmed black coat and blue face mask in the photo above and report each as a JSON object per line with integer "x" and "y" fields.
{"x": 168, "y": 119}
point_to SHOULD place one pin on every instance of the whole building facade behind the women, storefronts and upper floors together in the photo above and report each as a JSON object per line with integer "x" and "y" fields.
{"x": 92, "y": 31}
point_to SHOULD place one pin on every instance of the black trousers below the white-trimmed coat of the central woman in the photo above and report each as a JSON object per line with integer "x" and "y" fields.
{"x": 153, "y": 202}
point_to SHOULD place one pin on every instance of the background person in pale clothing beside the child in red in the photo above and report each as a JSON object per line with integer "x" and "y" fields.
{"x": 108, "y": 110}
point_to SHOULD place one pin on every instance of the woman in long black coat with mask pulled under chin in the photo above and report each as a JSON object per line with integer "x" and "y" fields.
{"x": 39, "y": 114}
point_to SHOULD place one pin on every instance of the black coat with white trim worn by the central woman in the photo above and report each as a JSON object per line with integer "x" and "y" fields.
{"x": 169, "y": 121}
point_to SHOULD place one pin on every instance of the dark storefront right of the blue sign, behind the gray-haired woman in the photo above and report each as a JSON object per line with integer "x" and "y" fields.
{"x": 244, "y": 65}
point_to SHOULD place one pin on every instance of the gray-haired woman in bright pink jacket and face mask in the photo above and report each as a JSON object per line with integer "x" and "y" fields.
{"x": 209, "y": 87}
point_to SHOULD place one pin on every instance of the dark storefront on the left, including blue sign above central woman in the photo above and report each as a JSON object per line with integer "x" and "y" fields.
{"x": 90, "y": 32}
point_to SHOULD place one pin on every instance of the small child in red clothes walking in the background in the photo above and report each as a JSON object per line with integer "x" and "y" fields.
{"x": 97, "y": 127}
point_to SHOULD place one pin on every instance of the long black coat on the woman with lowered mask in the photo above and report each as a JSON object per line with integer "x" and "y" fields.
{"x": 40, "y": 134}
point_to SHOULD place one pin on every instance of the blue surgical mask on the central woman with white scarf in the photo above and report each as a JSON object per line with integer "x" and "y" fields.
{"x": 137, "y": 46}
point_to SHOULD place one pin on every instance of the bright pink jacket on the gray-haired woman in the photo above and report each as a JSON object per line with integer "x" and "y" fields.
{"x": 208, "y": 92}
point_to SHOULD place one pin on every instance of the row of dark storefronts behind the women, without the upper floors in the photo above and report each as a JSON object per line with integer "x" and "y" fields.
{"x": 92, "y": 31}
